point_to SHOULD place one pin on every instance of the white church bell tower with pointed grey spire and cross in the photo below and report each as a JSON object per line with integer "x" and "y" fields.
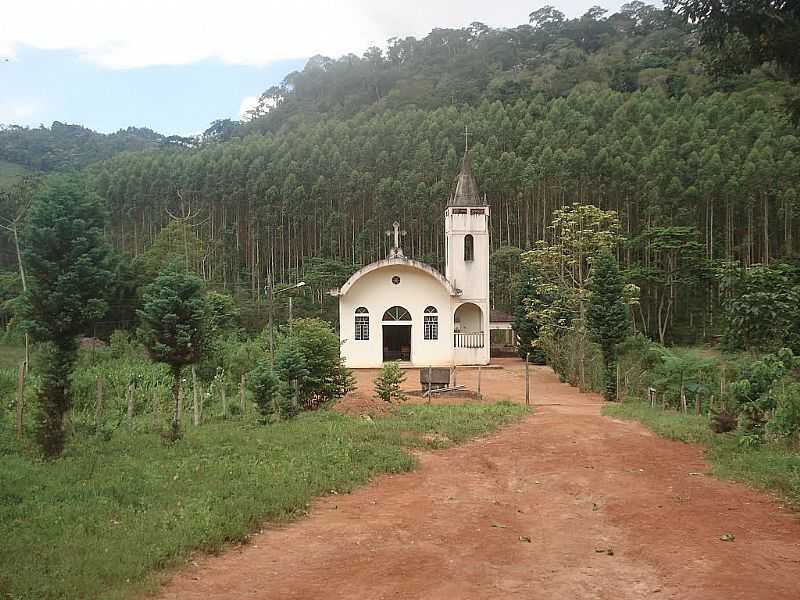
{"x": 467, "y": 234}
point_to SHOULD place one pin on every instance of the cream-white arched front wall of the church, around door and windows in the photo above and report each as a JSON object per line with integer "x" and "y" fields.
{"x": 376, "y": 292}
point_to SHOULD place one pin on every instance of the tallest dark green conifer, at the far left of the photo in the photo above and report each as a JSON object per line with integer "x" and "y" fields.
{"x": 66, "y": 257}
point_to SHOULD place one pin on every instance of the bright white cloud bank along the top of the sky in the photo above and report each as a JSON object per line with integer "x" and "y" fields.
{"x": 138, "y": 33}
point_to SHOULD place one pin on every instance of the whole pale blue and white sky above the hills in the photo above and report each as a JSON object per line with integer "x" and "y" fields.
{"x": 177, "y": 65}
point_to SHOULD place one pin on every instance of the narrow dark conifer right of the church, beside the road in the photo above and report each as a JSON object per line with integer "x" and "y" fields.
{"x": 607, "y": 316}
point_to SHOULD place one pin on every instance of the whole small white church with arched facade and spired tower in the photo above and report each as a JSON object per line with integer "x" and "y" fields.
{"x": 405, "y": 310}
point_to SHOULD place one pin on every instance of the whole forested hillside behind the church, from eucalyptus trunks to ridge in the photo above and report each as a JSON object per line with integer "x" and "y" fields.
{"x": 696, "y": 152}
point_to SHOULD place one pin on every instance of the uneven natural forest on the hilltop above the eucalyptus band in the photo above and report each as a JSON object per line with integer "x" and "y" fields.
{"x": 641, "y": 46}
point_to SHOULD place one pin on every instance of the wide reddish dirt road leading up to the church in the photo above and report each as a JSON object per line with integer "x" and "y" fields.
{"x": 611, "y": 511}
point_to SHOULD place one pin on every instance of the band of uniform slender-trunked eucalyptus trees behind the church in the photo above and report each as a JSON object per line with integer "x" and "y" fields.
{"x": 720, "y": 166}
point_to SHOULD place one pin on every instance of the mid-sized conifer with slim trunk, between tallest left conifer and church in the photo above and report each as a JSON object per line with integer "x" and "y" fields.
{"x": 173, "y": 315}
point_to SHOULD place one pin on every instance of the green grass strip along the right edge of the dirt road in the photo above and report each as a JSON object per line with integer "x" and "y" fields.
{"x": 771, "y": 467}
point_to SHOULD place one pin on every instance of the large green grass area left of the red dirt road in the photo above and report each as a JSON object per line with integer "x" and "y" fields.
{"x": 107, "y": 518}
